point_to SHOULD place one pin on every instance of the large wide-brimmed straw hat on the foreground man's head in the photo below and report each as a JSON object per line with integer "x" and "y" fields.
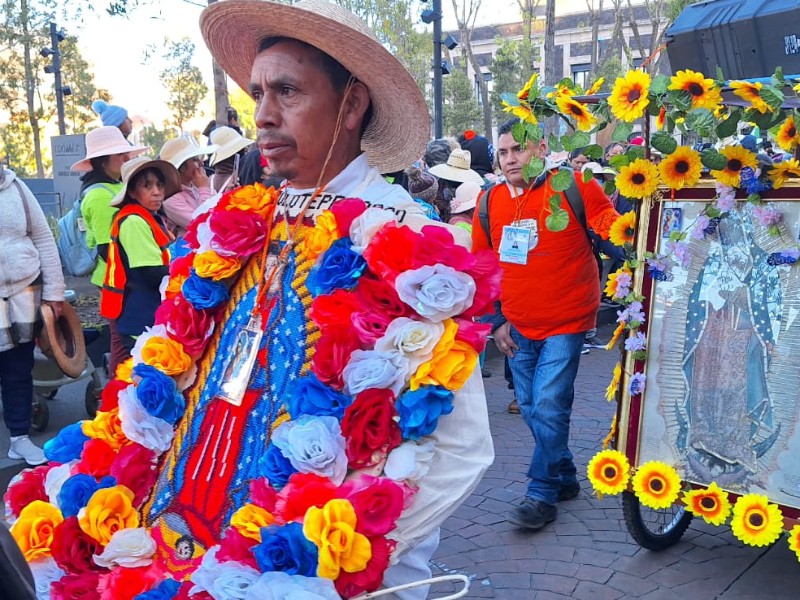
{"x": 400, "y": 126}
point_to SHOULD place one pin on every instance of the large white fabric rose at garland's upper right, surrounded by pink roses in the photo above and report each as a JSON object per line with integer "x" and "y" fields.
{"x": 436, "y": 292}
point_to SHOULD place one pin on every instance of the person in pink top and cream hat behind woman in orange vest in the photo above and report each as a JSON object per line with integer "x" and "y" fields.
{"x": 185, "y": 154}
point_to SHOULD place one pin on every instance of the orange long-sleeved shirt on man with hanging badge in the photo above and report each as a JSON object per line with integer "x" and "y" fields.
{"x": 558, "y": 290}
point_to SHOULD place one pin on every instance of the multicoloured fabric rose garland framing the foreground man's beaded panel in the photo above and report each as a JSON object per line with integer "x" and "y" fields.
{"x": 395, "y": 311}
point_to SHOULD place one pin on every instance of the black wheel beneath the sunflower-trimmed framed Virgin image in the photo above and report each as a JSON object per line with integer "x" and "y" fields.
{"x": 654, "y": 529}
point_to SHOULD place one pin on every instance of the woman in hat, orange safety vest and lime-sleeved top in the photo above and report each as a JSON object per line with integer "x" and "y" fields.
{"x": 138, "y": 257}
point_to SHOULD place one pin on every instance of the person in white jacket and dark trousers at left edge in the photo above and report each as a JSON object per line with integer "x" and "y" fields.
{"x": 30, "y": 274}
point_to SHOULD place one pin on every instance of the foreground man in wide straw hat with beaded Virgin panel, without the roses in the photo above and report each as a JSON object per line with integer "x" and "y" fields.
{"x": 334, "y": 110}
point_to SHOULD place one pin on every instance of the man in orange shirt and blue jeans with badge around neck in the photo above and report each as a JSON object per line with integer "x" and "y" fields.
{"x": 549, "y": 298}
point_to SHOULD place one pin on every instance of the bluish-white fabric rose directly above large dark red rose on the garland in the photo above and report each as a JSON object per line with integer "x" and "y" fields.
{"x": 384, "y": 370}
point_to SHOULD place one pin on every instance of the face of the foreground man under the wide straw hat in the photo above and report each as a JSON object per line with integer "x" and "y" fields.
{"x": 296, "y": 111}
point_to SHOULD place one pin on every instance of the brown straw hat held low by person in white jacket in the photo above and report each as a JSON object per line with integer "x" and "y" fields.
{"x": 62, "y": 339}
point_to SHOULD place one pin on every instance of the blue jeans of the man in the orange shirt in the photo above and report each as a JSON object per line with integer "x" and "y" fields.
{"x": 544, "y": 383}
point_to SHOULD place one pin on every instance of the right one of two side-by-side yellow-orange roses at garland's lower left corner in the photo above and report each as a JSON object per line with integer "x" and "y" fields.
{"x": 108, "y": 511}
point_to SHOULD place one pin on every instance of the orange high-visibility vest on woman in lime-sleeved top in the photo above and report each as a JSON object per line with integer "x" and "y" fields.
{"x": 113, "y": 291}
